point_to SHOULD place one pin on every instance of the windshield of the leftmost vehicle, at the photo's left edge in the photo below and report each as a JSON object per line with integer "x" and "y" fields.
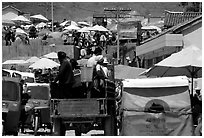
{"x": 10, "y": 91}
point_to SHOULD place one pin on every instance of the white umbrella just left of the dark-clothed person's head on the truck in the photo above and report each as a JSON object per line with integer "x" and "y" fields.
{"x": 44, "y": 63}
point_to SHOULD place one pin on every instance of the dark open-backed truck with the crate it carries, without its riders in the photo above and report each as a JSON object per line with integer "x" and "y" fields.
{"x": 85, "y": 114}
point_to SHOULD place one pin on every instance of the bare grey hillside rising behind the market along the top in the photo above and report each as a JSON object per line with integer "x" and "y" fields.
{"x": 82, "y": 10}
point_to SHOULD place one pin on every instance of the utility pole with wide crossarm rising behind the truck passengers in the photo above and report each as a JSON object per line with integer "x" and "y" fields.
{"x": 118, "y": 11}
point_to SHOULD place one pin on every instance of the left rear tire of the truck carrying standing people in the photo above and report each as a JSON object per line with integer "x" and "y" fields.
{"x": 58, "y": 128}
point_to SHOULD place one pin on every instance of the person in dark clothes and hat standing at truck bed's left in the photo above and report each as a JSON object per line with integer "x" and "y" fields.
{"x": 65, "y": 76}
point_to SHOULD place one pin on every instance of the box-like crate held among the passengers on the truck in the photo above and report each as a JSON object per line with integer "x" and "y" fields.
{"x": 86, "y": 74}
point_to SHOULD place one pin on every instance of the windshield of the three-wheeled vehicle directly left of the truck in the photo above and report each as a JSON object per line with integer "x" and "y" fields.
{"x": 38, "y": 92}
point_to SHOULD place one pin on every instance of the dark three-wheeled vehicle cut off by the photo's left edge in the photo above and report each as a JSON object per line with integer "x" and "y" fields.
{"x": 11, "y": 105}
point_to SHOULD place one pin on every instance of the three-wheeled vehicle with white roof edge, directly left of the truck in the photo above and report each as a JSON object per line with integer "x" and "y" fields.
{"x": 39, "y": 104}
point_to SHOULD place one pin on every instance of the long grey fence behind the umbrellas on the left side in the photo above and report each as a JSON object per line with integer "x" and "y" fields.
{"x": 36, "y": 48}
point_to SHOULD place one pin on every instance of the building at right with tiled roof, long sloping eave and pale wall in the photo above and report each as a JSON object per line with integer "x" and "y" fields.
{"x": 182, "y": 29}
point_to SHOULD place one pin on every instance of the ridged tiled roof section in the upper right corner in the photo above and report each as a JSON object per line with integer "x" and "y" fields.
{"x": 174, "y": 18}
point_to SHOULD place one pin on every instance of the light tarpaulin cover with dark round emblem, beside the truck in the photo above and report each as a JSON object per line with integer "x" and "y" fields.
{"x": 157, "y": 111}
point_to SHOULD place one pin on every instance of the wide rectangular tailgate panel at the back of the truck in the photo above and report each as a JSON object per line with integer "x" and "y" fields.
{"x": 66, "y": 108}
